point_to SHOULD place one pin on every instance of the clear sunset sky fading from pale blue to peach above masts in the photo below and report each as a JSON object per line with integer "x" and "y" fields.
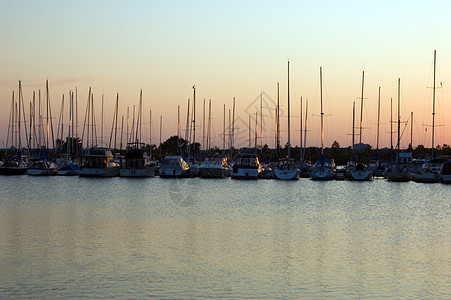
{"x": 238, "y": 49}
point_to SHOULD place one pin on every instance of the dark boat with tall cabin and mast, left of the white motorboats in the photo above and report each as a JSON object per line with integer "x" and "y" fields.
{"x": 135, "y": 163}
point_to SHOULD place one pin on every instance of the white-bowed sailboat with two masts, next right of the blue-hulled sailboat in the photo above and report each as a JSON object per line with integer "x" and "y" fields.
{"x": 358, "y": 170}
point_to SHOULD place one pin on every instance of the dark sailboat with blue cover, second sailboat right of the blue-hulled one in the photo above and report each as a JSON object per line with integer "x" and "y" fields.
{"x": 400, "y": 170}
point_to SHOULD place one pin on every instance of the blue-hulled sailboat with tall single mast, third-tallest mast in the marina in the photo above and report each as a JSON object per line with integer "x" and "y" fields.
{"x": 323, "y": 169}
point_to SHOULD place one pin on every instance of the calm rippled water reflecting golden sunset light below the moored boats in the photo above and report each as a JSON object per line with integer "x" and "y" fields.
{"x": 193, "y": 238}
